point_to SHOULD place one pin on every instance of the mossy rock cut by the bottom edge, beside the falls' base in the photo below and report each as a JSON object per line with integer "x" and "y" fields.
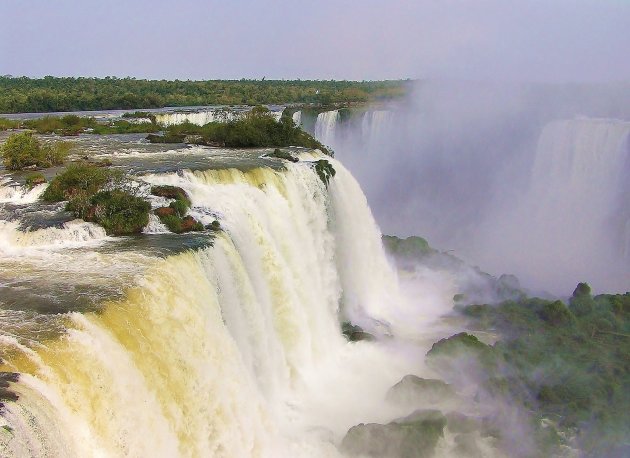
{"x": 415, "y": 436}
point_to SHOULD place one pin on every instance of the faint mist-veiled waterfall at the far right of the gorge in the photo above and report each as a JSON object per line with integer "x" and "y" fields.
{"x": 570, "y": 223}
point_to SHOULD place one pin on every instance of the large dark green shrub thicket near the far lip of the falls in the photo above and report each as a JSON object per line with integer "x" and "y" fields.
{"x": 257, "y": 128}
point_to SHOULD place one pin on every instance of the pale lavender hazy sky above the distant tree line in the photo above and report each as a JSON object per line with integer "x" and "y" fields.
{"x": 541, "y": 40}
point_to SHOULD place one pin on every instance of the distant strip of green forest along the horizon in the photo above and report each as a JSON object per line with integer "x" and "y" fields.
{"x": 49, "y": 94}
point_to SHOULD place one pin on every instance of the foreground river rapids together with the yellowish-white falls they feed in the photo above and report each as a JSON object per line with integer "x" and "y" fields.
{"x": 230, "y": 349}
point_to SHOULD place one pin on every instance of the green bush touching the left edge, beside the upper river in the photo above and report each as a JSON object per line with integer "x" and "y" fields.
{"x": 23, "y": 150}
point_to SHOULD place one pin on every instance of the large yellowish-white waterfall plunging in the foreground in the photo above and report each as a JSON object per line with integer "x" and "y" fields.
{"x": 222, "y": 351}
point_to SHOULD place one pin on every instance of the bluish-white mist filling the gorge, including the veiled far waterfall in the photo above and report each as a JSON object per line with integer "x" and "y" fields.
{"x": 516, "y": 178}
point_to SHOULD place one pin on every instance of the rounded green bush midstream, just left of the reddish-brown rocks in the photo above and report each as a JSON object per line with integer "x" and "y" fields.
{"x": 119, "y": 212}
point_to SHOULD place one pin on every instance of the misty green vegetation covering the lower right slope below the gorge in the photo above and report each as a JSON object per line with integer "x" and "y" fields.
{"x": 565, "y": 363}
